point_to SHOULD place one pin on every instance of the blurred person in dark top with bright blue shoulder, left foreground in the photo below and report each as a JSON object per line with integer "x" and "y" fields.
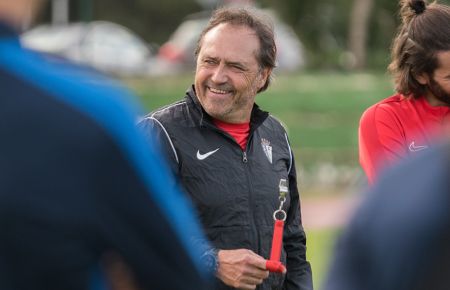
{"x": 80, "y": 191}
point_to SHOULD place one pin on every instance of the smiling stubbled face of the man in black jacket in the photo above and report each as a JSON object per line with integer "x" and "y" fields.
{"x": 228, "y": 75}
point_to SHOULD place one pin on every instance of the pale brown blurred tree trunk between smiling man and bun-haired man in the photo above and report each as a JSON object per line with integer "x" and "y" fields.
{"x": 358, "y": 31}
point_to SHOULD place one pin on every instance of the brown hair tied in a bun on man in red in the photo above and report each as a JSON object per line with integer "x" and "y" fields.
{"x": 424, "y": 32}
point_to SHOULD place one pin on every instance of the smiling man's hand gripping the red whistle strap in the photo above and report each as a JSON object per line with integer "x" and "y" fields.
{"x": 242, "y": 268}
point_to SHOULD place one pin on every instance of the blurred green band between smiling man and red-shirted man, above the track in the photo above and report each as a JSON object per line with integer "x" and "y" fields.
{"x": 322, "y": 111}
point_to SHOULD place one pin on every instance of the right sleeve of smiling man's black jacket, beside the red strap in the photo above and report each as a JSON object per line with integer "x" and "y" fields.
{"x": 298, "y": 275}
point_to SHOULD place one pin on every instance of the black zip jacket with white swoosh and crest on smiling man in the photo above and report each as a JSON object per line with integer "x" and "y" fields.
{"x": 235, "y": 191}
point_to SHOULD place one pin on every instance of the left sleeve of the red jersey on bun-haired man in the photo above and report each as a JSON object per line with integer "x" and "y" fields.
{"x": 381, "y": 141}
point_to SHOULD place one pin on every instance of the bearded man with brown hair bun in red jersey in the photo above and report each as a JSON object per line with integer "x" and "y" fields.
{"x": 409, "y": 121}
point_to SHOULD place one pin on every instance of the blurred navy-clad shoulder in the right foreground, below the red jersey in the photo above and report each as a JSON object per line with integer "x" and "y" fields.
{"x": 400, "y": 236}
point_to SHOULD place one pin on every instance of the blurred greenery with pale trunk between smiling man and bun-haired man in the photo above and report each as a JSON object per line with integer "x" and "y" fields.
{"x": 345, "y": 35}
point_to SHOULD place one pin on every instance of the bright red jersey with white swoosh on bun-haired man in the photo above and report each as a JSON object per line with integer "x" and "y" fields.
{"x": 395, "y": 128}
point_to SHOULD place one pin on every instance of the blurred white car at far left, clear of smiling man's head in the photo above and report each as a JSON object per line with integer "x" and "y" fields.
{"x": 106, "y": 46}
